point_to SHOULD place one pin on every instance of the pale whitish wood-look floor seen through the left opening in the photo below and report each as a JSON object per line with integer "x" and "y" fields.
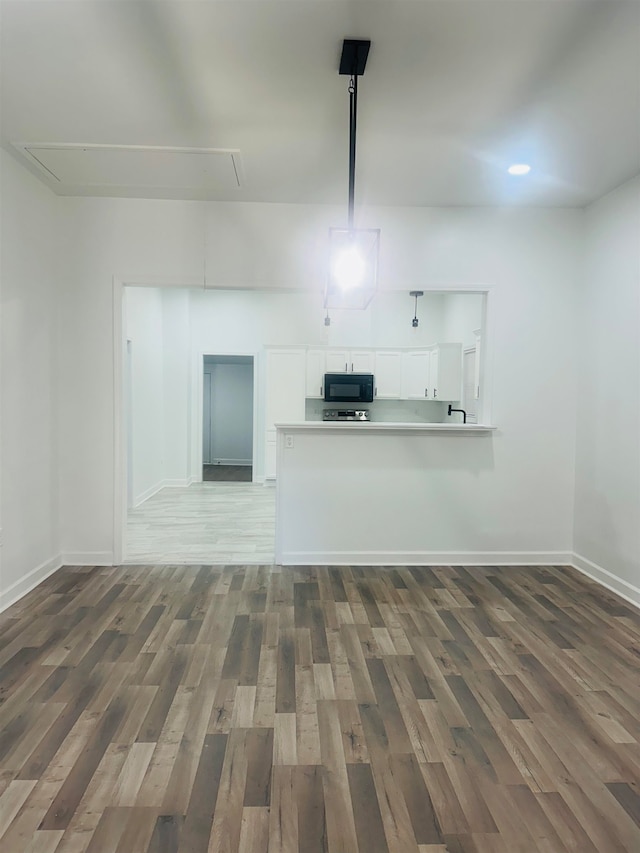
{"x": 213, "y": 522}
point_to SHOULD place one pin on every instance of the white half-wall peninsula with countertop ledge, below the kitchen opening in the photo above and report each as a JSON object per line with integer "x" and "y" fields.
{"x": 379, "y": 492}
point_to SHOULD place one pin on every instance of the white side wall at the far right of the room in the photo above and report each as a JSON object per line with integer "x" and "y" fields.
{"x": 607, "y": 520}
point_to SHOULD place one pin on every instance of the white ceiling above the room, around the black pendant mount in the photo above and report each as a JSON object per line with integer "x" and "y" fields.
{"x": 454, "y": 91}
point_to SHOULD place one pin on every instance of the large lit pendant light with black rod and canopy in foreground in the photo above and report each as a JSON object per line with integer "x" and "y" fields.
{"x": 352, "y": 277}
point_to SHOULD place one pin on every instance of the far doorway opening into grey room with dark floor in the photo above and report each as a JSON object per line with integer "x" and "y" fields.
{"x": 227, "y": 418}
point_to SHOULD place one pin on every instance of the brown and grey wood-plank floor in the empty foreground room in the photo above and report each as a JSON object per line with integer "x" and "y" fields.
{"x": 321, "y": 710}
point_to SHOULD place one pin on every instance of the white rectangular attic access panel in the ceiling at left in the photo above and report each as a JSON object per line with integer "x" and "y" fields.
{"x": 135, "y": 166}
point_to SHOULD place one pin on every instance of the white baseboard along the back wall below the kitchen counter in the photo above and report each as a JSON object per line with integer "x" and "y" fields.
{"x": 425, "y": 558}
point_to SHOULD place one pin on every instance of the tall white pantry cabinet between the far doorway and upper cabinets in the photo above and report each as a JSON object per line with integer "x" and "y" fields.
{"x": 284, "y": 397}
